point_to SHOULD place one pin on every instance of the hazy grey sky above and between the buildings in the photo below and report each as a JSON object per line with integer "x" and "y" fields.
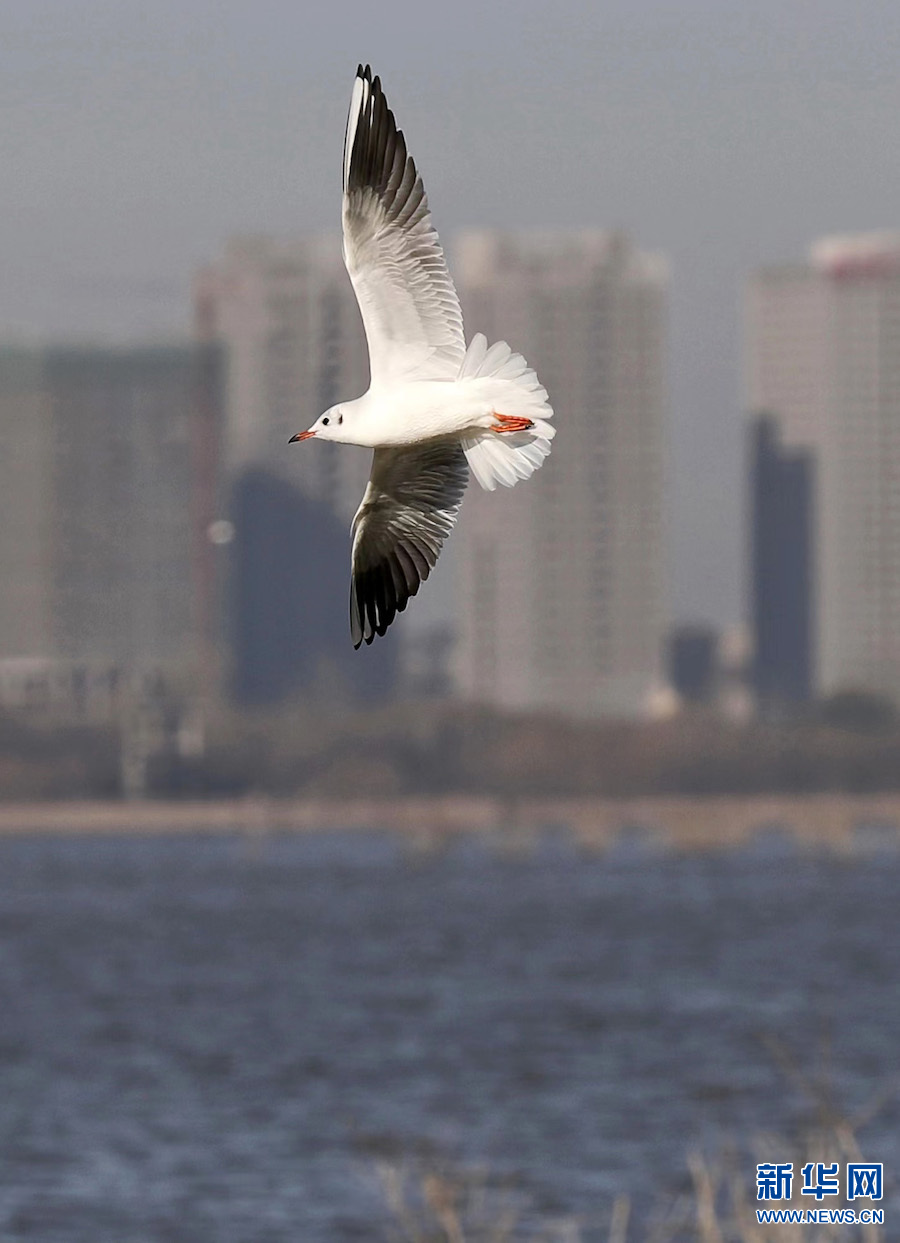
{"x": 136, "y": 137}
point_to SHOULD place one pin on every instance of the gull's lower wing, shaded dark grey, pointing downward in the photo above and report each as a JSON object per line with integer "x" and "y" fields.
{"x": 408, "y": 511}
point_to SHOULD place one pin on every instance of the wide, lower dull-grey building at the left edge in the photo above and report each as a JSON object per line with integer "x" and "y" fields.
{"x": 101, "y": 520}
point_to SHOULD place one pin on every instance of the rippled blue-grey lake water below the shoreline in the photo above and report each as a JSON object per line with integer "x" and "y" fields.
{"x": 218, "y": 1040}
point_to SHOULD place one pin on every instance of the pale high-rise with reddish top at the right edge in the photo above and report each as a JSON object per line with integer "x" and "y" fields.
{"x": 824, "y": 357}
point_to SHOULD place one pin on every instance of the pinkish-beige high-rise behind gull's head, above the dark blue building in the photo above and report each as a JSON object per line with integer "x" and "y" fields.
{"x": 288, "y": 319}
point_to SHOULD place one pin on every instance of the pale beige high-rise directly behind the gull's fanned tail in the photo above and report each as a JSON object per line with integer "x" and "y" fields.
{"x": 561, "y": 601}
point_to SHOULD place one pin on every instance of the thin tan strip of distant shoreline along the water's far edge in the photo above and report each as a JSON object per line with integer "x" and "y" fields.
{"x": 840, "y": 822}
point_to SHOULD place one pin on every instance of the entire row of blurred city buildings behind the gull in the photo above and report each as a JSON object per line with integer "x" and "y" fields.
{"x": 161, "y": 545}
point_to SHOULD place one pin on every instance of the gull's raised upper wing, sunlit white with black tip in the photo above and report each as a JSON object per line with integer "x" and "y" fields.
{"x": 407, "y": 298}
